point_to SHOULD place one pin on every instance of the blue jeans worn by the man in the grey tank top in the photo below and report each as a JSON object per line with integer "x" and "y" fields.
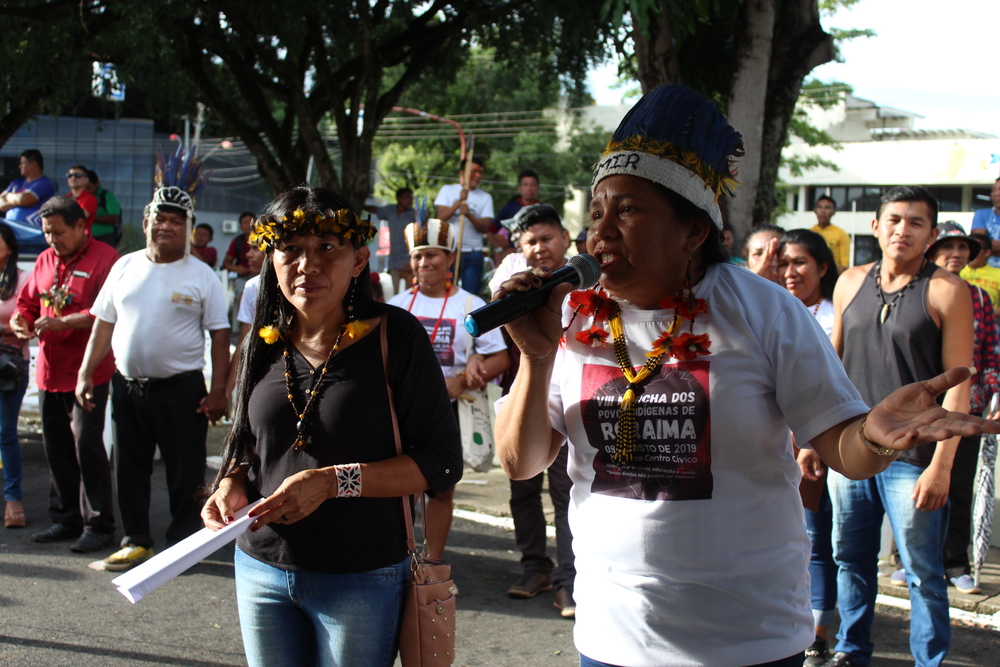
{"x": 858, "y": 507}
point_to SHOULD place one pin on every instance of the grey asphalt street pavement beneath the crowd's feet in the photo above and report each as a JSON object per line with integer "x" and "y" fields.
{"x": 54, "y": 611}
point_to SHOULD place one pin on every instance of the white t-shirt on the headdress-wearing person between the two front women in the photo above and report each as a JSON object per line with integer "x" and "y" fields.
{"x": 451, "y": 339}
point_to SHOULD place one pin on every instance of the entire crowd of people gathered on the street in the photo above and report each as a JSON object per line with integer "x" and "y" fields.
{"x": 716, "y": 434}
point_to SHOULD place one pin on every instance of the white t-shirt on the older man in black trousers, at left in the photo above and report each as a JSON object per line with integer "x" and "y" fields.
{"x": 160, "y": 313}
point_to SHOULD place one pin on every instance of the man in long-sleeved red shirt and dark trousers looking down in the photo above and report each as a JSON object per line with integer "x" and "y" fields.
{"x": 54, "y": 305}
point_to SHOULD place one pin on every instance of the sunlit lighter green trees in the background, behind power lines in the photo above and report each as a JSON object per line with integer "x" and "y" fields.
{"x": 501, "y": 104}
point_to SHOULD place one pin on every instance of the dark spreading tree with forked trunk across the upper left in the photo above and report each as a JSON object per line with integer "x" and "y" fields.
{"x": 276, "y": 79}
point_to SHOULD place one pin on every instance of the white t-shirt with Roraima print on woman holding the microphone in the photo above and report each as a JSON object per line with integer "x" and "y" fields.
{"x": 699, "y": 555}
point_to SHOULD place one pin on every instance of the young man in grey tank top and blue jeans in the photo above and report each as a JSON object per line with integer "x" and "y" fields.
{"x": 898, "y": 321}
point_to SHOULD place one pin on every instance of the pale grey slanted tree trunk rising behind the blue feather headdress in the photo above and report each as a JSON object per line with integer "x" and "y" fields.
{"x": 747, "y": 103}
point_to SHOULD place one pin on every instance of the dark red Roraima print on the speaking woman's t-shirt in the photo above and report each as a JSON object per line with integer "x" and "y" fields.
{"x": 673, "y": 432}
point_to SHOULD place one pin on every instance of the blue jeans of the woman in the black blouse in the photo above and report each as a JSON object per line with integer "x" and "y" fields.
{"x": 297, "y": 618}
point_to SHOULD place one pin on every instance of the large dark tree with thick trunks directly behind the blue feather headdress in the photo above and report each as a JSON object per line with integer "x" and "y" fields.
{"x": 750, "y": 56}
